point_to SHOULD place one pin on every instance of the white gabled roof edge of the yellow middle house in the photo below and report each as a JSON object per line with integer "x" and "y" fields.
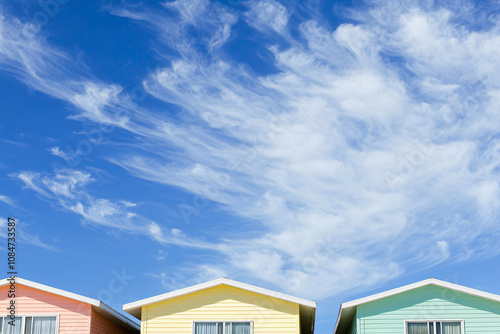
{"x": 143, "y": 302}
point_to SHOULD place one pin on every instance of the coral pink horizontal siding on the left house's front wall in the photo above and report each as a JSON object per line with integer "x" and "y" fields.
{"x": 74, "y": 316}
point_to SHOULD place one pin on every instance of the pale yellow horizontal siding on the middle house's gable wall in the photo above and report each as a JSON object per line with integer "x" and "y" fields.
{"x": 224, "y": 303}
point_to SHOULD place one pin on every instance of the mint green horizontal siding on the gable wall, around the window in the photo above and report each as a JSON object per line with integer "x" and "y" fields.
{"x": 387, "y": 315}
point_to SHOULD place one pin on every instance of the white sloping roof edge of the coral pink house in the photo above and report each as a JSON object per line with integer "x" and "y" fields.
{"x": 83, "y": 299}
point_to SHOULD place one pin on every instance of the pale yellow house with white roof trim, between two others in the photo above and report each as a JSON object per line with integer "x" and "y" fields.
{"x": 224, "y": 306}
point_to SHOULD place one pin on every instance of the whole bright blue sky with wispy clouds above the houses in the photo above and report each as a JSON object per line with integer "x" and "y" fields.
{"x": 327, "y": 150}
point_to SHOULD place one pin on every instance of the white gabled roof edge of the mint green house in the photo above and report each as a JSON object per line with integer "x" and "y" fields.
{"x": 405, "y": 288}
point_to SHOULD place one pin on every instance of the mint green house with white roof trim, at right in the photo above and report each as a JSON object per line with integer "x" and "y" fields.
{"x": 427, "y": 307}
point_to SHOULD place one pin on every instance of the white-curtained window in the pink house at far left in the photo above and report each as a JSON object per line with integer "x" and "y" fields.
{"x": 29, "y": 325}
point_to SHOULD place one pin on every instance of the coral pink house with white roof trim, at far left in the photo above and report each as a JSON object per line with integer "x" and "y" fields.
{"x": 41, "y": 309}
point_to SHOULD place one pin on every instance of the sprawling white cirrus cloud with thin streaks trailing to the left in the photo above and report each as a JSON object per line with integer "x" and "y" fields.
{"x": 372, "y": 149}
